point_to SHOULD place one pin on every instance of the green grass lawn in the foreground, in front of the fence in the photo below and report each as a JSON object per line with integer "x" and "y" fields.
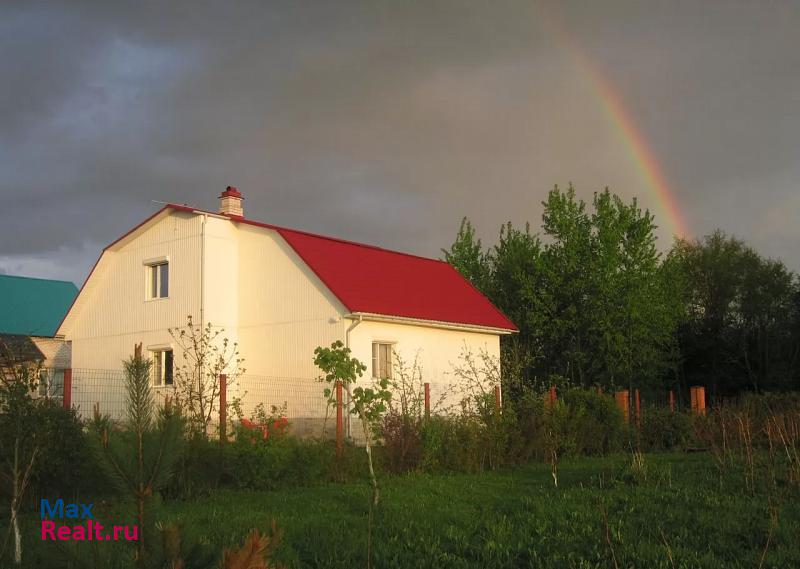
{"x": 682, "y": 515}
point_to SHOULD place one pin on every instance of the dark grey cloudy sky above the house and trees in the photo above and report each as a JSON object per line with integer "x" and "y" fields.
{"x": 387, "y": 122}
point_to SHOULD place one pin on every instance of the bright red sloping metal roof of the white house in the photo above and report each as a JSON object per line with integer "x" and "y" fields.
{"x": 378, "y": 281}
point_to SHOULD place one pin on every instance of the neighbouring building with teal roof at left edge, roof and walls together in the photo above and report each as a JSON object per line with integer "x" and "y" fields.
{"x": 30, "y": 312}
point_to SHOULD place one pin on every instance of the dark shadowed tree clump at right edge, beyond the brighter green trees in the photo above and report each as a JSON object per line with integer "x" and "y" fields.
{"x": 742, "y": 317}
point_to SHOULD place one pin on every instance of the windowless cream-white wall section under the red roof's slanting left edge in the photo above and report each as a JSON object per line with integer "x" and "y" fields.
{"x": 284, "y": 314}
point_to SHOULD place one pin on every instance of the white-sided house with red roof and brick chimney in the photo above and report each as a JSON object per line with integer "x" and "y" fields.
{"x": 279, "y": 293}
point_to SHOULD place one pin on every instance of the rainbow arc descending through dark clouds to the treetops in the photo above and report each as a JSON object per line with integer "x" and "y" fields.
{"x": 642, "y": 155}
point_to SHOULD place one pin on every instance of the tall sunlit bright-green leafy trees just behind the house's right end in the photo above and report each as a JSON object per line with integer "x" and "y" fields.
{"x": 594, "y": 301}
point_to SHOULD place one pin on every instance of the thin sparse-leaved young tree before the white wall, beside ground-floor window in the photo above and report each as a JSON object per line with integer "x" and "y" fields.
{"x": 206, "y": 354}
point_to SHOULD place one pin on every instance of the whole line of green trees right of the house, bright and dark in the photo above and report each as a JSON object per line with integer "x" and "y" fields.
{"x": 597, "y": 304}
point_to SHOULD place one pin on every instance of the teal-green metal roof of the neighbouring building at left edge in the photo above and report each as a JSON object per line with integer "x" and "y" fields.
{"x": 33, "y": 307}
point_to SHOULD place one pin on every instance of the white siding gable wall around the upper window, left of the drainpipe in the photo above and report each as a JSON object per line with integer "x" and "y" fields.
{"x": 116, "y": 313}
